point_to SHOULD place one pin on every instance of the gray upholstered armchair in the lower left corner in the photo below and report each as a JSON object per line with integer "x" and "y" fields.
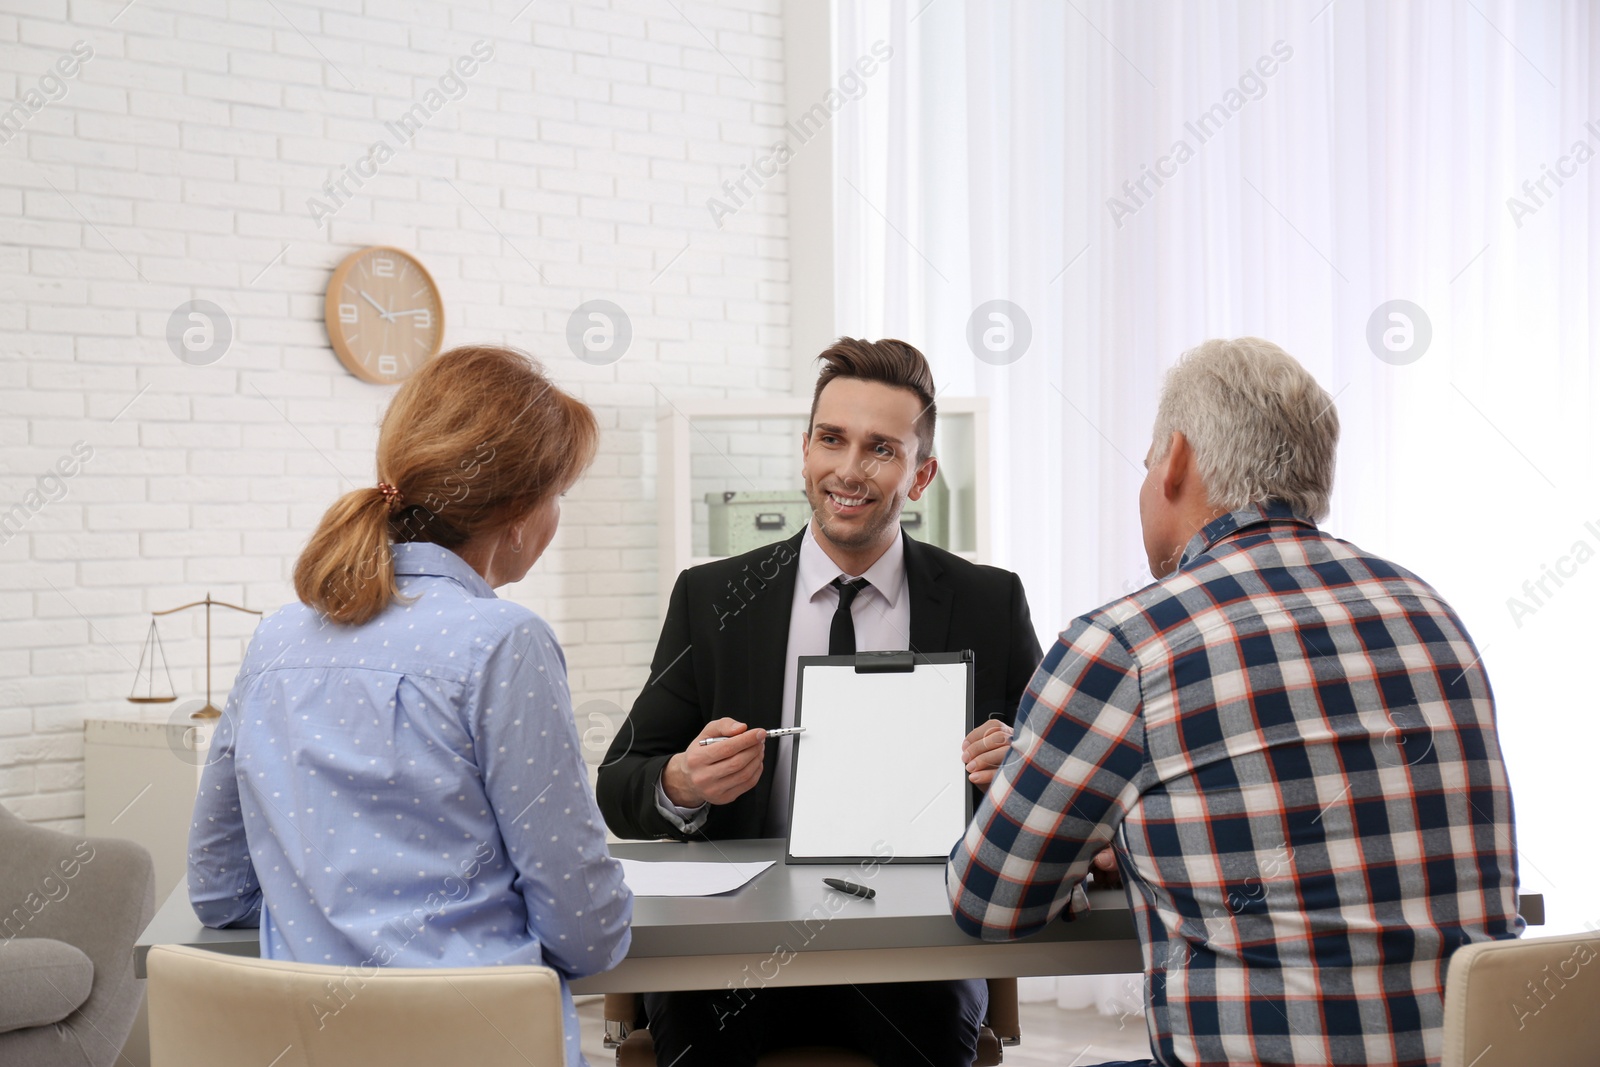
{"x": 71, "y": 909}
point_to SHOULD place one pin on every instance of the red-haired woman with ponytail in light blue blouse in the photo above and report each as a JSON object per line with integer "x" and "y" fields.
{"x": 398, "y": 780}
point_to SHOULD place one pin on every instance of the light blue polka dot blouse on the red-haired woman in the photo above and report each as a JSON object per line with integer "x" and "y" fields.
{"x": 409, "y": 793}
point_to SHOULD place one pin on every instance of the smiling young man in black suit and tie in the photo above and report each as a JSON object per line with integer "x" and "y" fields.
{"x": 727, "y": 665}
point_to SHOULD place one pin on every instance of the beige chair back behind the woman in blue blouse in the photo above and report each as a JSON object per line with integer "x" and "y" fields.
{"x": 209, "y": 1009}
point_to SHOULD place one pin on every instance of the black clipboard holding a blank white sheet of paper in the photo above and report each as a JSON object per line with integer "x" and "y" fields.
{"x": 879, "y": 769}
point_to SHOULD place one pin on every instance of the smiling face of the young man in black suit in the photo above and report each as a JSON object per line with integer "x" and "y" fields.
{"x": 862, "y": 463}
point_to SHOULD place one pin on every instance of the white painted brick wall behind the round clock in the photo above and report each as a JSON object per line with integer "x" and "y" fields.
{"x": 178, "y": 166}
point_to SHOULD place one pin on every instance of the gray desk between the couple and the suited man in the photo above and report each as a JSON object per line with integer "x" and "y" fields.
{"x": 706, "y": 943}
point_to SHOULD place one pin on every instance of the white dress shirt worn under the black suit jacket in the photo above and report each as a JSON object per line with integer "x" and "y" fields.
{"x": 882, "y": 618}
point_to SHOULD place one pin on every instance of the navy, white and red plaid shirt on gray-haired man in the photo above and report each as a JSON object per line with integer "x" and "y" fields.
{"x": 1292, "y": 748}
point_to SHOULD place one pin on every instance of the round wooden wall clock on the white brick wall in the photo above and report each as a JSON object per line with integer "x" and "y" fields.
{"x": 385, "y": 314}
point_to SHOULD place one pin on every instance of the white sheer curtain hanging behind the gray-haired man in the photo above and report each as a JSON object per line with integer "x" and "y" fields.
{"x": 1377, "y": 153}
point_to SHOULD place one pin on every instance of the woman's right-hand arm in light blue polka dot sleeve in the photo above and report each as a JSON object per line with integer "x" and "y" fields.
{"x": 538, "y": 785}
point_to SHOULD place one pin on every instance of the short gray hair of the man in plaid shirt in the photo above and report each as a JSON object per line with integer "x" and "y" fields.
{"x": 1260, "y": 425}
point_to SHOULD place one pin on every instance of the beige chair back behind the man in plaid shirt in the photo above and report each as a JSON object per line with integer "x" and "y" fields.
{"x": 1524, "y": 1004}
